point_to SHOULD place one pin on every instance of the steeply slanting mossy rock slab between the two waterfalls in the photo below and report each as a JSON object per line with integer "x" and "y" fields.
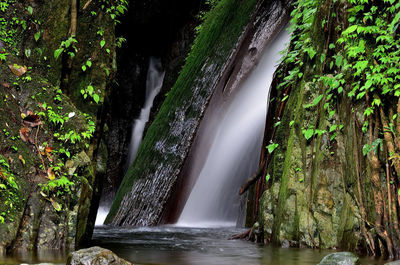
{"x": 233, "y": 31}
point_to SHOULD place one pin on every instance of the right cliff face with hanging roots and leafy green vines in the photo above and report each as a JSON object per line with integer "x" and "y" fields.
{"x": 327, "y": 185}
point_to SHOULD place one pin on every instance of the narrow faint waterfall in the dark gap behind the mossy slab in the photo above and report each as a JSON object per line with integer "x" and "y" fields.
{"x": 154, "y": 81}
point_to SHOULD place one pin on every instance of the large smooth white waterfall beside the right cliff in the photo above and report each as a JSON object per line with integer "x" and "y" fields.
{"x": 234, "y": 152}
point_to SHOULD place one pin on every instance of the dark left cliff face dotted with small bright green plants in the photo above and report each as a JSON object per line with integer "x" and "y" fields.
{"x": 47, "y": 144}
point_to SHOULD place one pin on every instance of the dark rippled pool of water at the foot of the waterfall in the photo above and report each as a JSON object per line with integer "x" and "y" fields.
{"x": 195, "y": 246}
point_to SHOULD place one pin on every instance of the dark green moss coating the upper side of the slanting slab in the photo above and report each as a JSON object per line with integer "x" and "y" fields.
{"x": 217, "y": 38}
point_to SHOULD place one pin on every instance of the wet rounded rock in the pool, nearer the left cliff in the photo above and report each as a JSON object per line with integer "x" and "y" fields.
{"x": 95, "y": 256}
